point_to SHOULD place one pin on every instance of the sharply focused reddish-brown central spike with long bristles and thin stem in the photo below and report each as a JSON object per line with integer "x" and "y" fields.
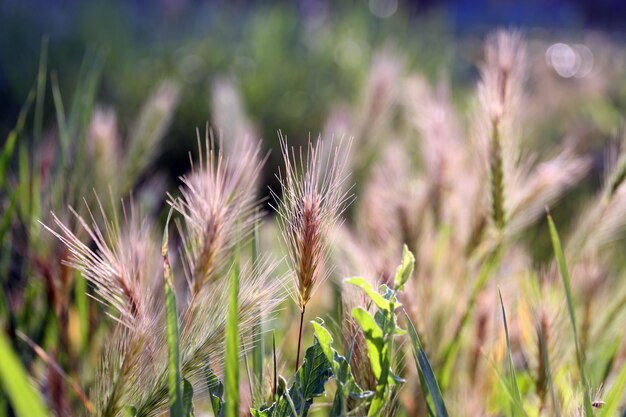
{"x": 311, "y": 204}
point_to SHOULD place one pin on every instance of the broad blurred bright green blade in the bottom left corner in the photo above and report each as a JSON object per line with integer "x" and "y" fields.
{"x": 15, "y": 382}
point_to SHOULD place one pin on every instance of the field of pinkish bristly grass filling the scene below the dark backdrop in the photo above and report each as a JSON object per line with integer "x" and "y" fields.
{"x": 437, "y": 250}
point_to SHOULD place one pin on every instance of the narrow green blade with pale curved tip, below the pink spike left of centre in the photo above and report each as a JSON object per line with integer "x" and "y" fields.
{"x": 175, "y": 382}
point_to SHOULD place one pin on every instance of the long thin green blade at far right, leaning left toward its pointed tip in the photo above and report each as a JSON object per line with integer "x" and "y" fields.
{"x": 562, "y": 264}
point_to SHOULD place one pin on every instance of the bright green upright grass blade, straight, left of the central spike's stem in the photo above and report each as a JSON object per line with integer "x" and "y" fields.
{"x": 232, "y": 345}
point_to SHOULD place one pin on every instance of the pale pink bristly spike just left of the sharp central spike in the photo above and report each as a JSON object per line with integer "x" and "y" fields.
{"x": 218, "y": 205}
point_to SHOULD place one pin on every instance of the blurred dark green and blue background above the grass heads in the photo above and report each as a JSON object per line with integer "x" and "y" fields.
{"x": 293, "y": 62}
